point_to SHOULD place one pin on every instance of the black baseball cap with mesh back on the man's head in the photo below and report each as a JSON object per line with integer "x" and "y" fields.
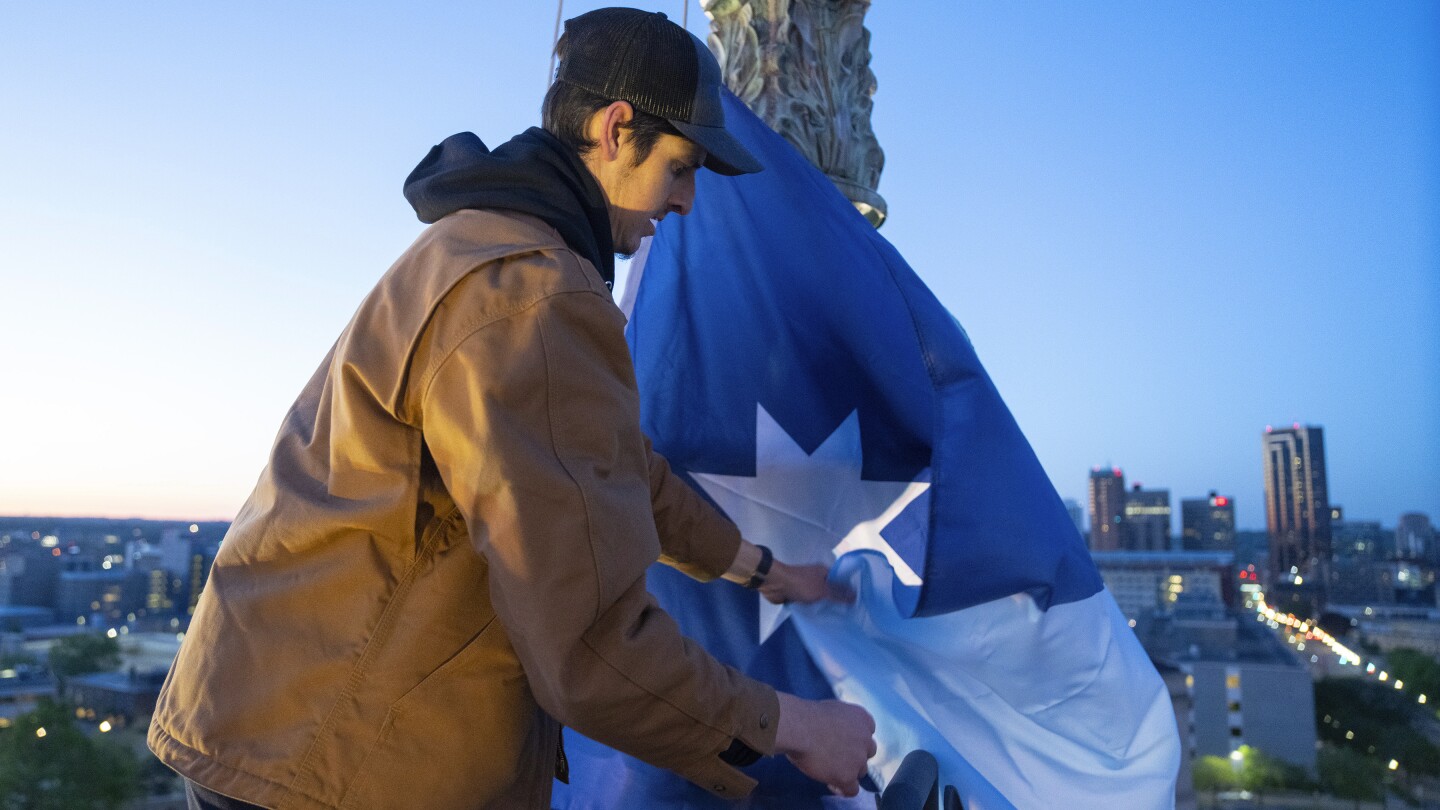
{"x": 660, "y": 68}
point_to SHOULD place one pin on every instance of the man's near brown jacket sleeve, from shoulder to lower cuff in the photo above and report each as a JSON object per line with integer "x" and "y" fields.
{"x": 534, "y": 423}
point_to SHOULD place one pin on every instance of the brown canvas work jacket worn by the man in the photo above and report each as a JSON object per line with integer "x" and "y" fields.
{"x": 446, "y": 558}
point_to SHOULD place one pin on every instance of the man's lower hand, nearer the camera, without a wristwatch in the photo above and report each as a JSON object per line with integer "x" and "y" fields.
{"x": 830, "y": 742}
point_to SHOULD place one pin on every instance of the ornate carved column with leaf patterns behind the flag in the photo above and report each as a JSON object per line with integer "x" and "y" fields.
{"x": 804, "y": 67}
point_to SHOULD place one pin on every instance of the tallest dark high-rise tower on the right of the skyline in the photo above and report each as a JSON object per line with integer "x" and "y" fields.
{"x": 1297, "y": 505}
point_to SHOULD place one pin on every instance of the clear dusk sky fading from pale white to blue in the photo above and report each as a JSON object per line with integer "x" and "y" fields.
{"x": 1164, "y": 227}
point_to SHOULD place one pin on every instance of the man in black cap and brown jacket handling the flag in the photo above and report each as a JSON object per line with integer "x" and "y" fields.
{"x": 444, "y": 560}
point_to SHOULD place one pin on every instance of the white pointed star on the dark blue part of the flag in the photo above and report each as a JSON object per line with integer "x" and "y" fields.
{"x": 811, "y": 508}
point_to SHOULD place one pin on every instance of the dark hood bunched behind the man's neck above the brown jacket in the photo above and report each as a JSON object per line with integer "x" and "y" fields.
{"x": 532, "y": 174}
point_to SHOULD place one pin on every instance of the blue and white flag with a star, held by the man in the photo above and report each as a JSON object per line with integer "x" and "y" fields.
{"x": 801, "y": 375}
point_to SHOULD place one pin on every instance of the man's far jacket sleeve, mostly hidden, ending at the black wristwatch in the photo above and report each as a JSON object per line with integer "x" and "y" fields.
{"x": 695, "y": 538}
